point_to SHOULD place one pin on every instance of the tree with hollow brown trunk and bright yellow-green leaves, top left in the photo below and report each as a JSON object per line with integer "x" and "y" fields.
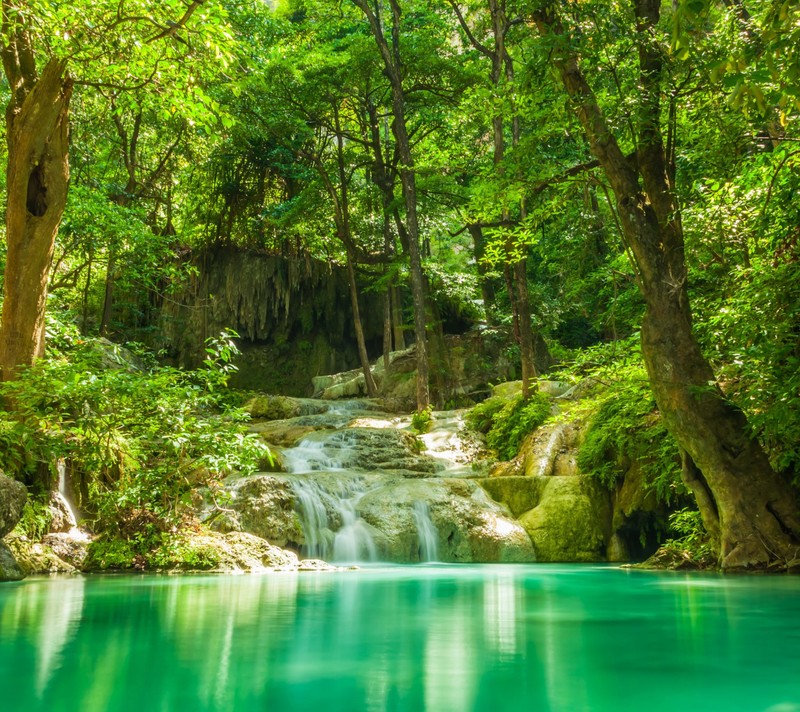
{"x": 122, "y": 46}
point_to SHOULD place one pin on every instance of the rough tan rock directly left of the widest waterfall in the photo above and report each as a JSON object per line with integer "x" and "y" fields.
{"x": 262, "y": 505}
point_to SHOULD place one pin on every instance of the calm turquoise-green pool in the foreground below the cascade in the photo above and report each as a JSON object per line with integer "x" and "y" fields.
{"x": 494, "y": 638}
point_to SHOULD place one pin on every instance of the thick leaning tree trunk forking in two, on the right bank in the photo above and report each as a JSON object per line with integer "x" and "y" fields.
{"x": 750, "y": 512}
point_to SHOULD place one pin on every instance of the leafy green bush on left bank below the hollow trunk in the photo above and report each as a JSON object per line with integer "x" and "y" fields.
{"x": 142, "y": 439}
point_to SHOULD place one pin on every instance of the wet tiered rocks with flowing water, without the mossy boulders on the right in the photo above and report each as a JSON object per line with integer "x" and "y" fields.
{"x": 358, "y": 486}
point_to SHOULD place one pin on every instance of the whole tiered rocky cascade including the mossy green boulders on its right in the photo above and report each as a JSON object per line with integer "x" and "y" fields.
{"x": 353, "y": 484}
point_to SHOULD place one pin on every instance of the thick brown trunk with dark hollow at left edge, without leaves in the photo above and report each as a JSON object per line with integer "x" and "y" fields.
{"x": 37, "y": 120}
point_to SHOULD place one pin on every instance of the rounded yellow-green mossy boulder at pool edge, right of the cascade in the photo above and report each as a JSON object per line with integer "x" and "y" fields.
{"x": 571, "y": 522}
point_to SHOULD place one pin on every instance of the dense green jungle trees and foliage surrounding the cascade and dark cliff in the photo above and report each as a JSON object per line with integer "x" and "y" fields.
{"x": 614, "y": 177}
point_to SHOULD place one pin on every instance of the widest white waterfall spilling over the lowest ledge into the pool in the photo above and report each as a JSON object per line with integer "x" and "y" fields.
{"x": 331, "y": 526}
